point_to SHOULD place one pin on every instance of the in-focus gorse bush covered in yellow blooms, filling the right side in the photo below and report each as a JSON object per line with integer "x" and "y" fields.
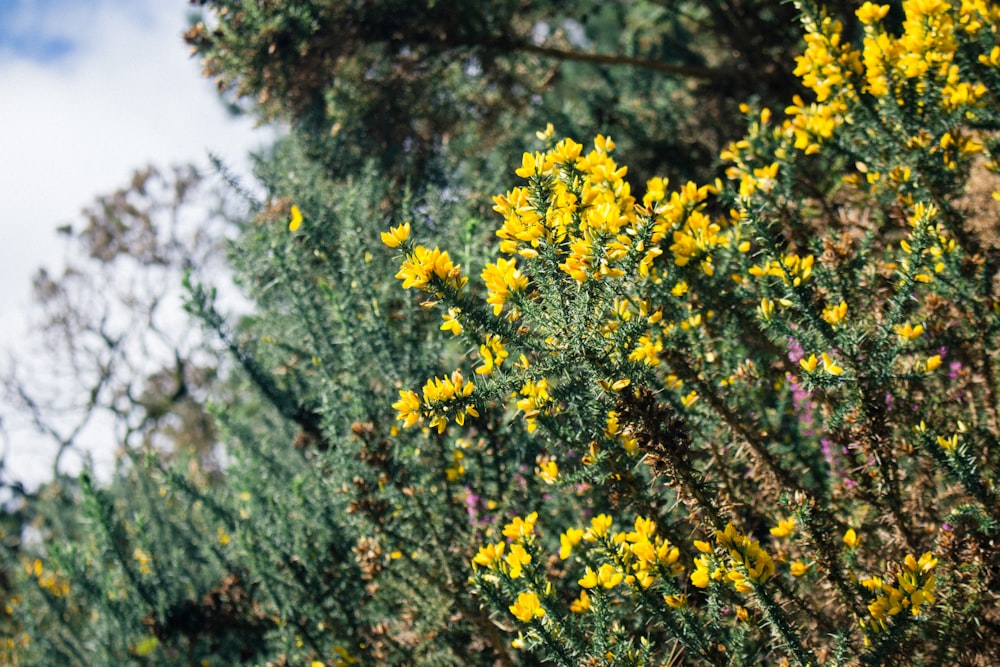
{"x": 783, "y": 383}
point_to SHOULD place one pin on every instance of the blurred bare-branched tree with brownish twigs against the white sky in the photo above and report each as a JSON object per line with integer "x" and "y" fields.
{"x": 113, "y": 351}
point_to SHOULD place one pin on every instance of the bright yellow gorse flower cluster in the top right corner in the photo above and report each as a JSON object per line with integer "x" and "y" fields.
{"x": 922, "y": 61}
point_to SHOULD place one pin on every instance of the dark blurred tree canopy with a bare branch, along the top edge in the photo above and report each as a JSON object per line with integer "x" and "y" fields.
{"x": 422, "y": 87}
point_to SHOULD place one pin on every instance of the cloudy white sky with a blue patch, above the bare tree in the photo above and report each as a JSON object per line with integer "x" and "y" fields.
{"x": 91, "y": 90}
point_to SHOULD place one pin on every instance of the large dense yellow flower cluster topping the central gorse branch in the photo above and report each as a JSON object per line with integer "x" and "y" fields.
{"x": 579, "y": 212}
